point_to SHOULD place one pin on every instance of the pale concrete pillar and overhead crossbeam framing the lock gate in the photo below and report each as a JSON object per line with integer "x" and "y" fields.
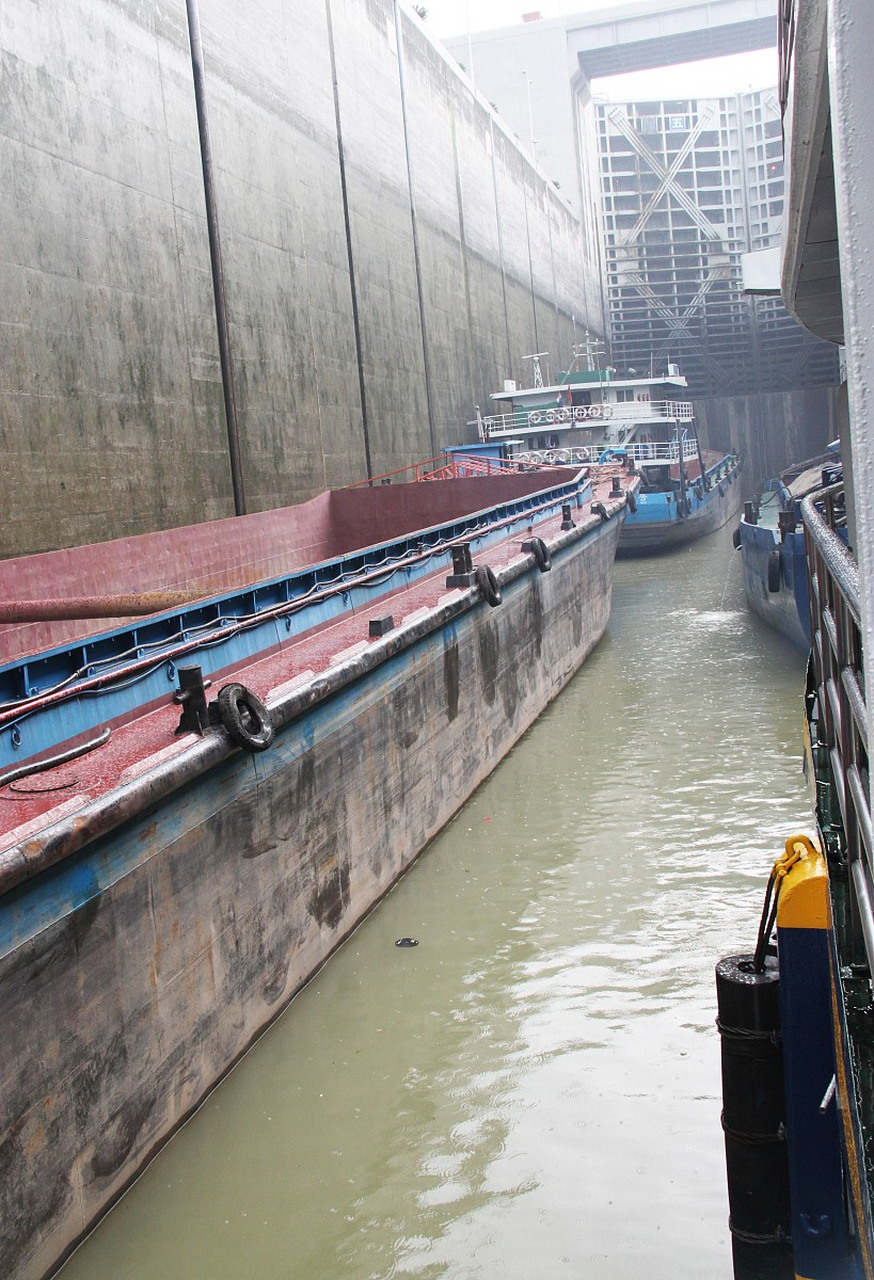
{"x": 538, "y": 75}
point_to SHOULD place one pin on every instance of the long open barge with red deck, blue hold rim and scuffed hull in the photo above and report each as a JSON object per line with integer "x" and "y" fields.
{"x": 164, "y": 893}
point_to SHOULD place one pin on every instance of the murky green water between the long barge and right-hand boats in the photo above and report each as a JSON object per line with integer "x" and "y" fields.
{"x": 533, "y": 1092}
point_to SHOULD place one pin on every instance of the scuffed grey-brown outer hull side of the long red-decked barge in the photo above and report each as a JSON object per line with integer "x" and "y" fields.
{"x": 152, "y": 959}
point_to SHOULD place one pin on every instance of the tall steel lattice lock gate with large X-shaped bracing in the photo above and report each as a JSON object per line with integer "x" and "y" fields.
{"x": 688, "y": 188}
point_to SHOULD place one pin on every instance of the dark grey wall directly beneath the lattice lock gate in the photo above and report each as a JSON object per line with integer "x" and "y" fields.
{"x": 772, "y": 431}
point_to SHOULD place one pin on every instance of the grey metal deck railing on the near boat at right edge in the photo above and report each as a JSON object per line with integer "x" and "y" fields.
{"x": 839, "y": 678}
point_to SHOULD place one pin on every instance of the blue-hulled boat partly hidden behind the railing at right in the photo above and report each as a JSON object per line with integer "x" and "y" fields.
{"x": 771, "y": 541}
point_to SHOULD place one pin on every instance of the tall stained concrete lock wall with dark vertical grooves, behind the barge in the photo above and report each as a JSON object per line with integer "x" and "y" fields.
{"x": 358, "y": 331}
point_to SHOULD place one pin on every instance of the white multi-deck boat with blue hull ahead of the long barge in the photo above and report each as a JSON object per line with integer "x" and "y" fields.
{"x": 593, "y": 417}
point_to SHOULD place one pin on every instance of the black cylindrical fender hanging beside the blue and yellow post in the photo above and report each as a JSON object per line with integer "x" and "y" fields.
{"x": 754, "y": 1119}
